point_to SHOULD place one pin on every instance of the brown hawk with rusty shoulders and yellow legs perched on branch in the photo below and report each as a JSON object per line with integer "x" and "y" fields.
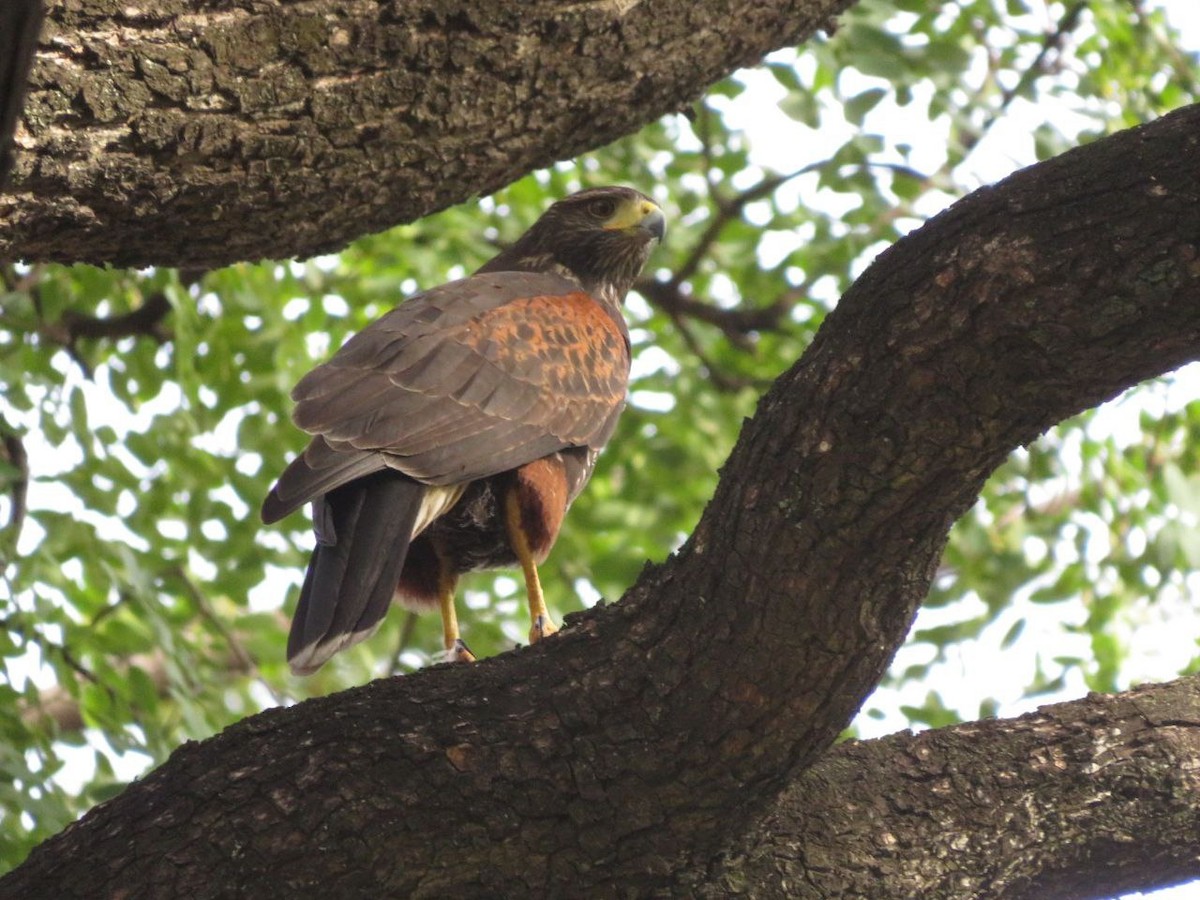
{"x": 453, "y": 434}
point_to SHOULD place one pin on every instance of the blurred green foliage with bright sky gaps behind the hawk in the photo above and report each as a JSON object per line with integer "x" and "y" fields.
{"x": 143, "y": 604}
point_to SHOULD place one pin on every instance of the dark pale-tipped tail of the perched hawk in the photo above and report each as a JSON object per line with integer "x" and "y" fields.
{"x": 353, "y": 572}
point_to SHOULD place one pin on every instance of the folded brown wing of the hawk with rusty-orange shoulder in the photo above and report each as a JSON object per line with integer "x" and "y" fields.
{"x": 466, "y": 381}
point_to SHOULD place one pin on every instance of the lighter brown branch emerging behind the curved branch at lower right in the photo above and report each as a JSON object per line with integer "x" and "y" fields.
{"x": 1083, "y": 800}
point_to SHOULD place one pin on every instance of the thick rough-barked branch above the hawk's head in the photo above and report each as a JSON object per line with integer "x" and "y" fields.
{"x": 203, "y": 133}
